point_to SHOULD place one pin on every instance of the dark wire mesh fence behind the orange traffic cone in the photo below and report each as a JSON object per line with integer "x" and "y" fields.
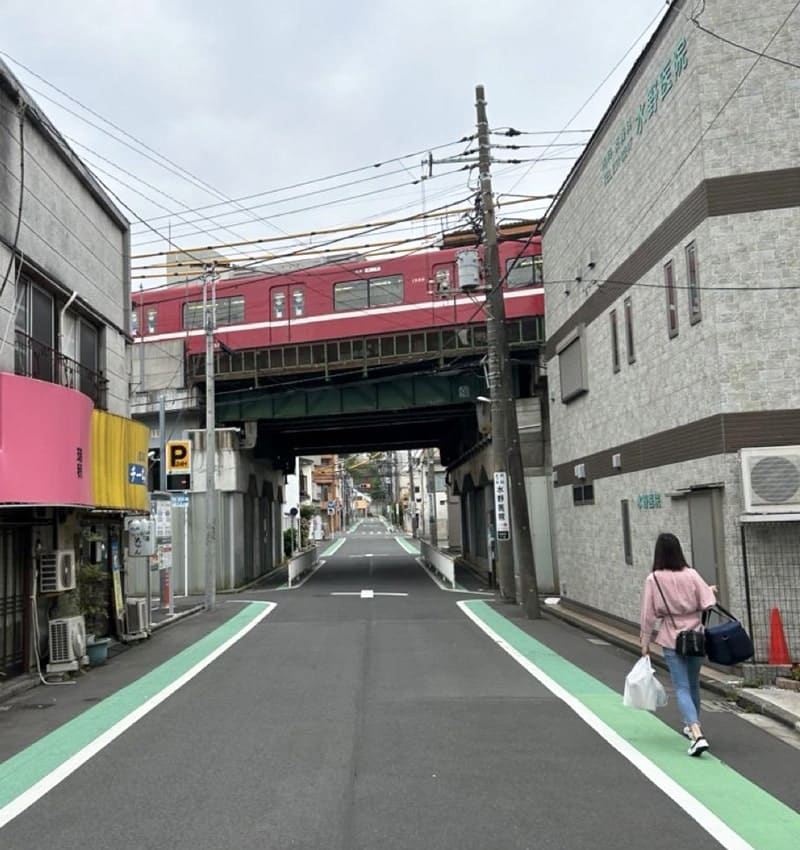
{"x": 771, "y": 558}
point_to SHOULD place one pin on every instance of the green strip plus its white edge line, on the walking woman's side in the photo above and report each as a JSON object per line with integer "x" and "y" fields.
{"x": 734, "y": 811}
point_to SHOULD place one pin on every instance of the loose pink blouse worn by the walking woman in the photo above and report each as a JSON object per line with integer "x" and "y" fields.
{"x": 687, "y": 596}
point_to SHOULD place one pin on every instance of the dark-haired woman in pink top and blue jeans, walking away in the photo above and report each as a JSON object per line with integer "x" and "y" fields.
{"x": 677, "y": 594}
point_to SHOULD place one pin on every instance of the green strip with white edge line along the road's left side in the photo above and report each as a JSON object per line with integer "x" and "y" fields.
{"x": 30, "y": 774}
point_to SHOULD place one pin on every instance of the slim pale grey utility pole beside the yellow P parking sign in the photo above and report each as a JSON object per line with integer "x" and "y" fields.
{"x": 209, "y": 312}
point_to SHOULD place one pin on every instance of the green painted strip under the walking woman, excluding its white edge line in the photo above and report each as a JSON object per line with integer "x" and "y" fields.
{"x": 751, "y": 813}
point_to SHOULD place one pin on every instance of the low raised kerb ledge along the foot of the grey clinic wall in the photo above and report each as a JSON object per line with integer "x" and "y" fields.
{"x": 776, "y": 703}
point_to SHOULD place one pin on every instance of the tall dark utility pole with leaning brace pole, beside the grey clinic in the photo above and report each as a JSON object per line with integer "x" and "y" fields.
{"x": 507, "y": 457}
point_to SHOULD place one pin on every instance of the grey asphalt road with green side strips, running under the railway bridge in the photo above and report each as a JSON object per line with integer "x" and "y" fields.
{"x": 366, "y": 709}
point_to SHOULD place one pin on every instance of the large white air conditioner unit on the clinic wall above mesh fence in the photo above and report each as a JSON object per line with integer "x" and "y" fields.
{"x": 771, "y": 480}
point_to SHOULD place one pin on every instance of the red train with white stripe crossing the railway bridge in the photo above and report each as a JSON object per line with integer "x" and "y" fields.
{"x": 344, "y": 299}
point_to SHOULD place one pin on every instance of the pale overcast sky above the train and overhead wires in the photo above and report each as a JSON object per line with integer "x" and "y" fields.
{"x": 197, "y": 104}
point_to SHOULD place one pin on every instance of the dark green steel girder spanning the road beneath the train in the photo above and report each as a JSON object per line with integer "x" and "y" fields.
{"x": 398, "y": 392}
